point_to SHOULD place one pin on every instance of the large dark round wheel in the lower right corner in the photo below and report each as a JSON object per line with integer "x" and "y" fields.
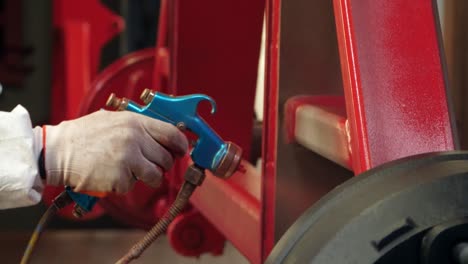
{"x": 408, "y": 211}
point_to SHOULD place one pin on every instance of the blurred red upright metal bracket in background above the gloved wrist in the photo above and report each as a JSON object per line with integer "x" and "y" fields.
{"x": 81, "y": 29}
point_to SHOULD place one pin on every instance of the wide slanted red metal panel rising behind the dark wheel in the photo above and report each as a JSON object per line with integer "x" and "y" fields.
{"x": 393, "y": 79}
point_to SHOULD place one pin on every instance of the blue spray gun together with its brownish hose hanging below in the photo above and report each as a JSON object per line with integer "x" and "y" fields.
{"x": 209, "y": 151}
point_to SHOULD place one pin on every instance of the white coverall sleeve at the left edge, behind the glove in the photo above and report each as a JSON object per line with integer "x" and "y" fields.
{"x": 20, "y": 145}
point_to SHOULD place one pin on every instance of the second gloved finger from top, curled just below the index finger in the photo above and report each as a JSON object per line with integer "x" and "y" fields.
{"x": 156, "y": 153}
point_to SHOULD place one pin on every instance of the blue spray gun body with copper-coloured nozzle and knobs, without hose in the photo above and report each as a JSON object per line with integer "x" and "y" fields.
{"x": 209, "y": 151}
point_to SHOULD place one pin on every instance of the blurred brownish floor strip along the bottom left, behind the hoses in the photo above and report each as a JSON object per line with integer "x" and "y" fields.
{"x": 100, "y": 246}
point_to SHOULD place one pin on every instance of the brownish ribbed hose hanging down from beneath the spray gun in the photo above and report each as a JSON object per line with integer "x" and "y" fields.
{"x": 193, "y": 178}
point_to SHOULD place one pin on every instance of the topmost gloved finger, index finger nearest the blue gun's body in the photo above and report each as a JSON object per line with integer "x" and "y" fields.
{"x": 166, "y": 134}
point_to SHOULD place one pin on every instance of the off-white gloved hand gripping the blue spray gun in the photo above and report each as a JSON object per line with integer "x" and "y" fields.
{"x": 108, "y": 151}
